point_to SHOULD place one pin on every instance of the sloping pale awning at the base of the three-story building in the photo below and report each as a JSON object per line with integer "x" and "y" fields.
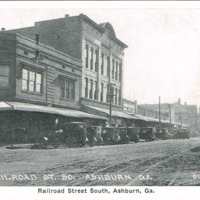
{"x": 114, "y": 113}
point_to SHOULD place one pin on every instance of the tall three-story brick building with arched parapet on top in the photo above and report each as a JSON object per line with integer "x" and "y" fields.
{"x": 101, "y": 54}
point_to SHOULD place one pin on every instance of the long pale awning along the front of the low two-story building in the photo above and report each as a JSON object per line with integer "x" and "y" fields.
{"x": 18, "y": 106}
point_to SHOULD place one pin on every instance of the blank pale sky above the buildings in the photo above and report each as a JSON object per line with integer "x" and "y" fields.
{"x": 163, "y": 54}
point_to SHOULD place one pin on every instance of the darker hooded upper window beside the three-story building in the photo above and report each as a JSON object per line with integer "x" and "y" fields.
{"x": 67, "y": 89}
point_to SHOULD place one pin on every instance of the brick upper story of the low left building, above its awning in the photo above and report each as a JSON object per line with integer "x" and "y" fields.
{"x": 43, "y": 79}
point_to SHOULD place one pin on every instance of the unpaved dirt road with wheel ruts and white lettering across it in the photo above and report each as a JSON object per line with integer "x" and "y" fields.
{"x": 157, "y": 163}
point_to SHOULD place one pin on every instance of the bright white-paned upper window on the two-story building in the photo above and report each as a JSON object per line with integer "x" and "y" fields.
{"x": 31, "y": 81}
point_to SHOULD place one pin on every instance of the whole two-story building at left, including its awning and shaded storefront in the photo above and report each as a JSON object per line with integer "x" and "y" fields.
{"x": 38, "y": 85}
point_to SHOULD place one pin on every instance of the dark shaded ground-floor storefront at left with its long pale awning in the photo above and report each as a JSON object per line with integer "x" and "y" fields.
{"x": 23, "y": 122}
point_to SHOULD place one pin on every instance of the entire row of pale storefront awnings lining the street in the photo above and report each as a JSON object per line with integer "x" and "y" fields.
{"x": 18, "y": 106}
